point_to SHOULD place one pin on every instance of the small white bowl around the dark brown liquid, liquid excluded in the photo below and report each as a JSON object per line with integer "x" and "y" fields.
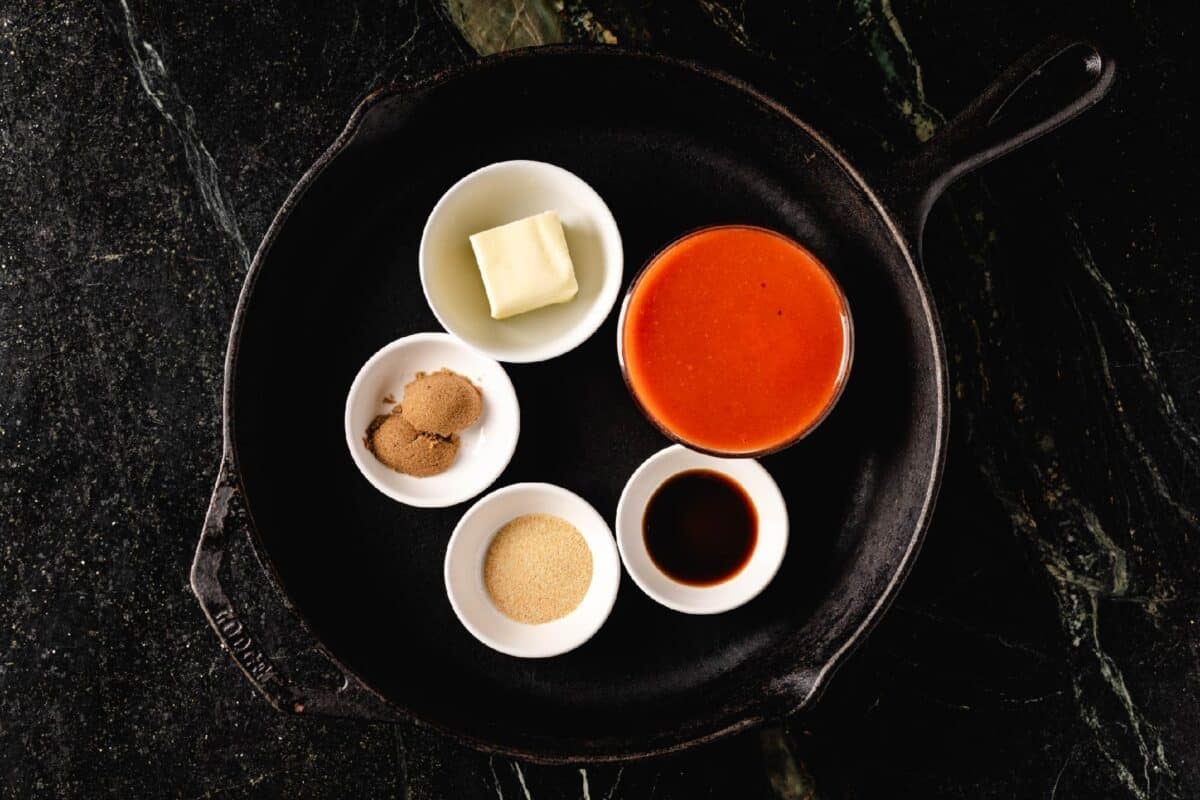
{"x": 743, "y": 587}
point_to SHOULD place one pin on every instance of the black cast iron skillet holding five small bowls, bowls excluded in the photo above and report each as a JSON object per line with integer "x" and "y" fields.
{"x": 671, "y": 147}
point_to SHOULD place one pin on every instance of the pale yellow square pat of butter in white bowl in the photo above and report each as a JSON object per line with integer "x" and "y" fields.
{"x": 525, "y": 266}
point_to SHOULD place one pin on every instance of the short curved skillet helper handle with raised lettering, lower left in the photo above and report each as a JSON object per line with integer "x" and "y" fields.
{"x": 227, "y": 519}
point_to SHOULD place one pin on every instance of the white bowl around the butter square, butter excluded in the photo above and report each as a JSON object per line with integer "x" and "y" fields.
{"x": 497, "y": 195}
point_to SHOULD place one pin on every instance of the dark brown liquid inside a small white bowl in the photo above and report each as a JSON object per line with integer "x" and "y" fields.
{"x": 700, "y": 528}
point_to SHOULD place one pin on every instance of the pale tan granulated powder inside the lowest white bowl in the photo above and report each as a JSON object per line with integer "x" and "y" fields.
{"x": 538, "y": 569}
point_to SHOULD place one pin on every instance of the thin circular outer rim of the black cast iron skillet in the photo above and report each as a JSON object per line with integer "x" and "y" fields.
{"x": 754, "y": 717}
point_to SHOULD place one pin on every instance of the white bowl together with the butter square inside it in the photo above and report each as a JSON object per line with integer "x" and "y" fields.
{"x": 523, "y": 261}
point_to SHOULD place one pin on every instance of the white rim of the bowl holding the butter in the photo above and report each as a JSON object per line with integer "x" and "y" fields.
{"x": 589, "y": 323}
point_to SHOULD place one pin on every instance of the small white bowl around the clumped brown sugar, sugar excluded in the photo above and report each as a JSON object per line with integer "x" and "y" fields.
{"x": 485, "y": 448}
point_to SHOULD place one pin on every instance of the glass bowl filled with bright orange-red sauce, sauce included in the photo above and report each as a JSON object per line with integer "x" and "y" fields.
{"x": 736, "y": 341}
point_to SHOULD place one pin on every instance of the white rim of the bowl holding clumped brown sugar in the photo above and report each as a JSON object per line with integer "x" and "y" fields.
{"x": 467, "y": 490}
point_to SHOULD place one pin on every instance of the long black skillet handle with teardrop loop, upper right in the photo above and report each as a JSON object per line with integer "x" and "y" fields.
{"x": 1052, "y": 85}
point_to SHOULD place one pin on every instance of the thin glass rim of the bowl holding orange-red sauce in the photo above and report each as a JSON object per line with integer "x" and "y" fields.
{"x": 848, "y": 359}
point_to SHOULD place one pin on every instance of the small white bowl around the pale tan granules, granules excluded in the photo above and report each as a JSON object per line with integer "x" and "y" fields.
{"x": 465, "y": 572}
